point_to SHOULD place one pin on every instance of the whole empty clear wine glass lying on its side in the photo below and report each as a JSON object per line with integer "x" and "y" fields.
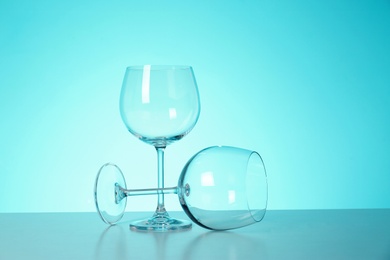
{"x": 219, "y": 188}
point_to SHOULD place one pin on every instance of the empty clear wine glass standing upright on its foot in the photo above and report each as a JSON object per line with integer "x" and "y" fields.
{"x": 159, "y": 105}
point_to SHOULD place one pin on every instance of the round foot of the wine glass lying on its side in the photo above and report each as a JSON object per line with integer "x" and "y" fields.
{"x": 109, "y": 200}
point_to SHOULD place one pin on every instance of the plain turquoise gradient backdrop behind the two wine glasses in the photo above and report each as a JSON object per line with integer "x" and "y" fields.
{"x": 304, "y": 83}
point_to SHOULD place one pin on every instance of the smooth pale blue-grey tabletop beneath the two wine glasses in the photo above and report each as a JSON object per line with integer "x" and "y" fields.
{"x": 295, "y": 234}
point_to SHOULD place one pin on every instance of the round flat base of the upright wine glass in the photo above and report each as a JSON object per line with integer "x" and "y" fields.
{"x": 160, "y": 224}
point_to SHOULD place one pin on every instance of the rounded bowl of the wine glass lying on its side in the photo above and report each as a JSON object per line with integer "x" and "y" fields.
{"x": 224, "y": 188}
